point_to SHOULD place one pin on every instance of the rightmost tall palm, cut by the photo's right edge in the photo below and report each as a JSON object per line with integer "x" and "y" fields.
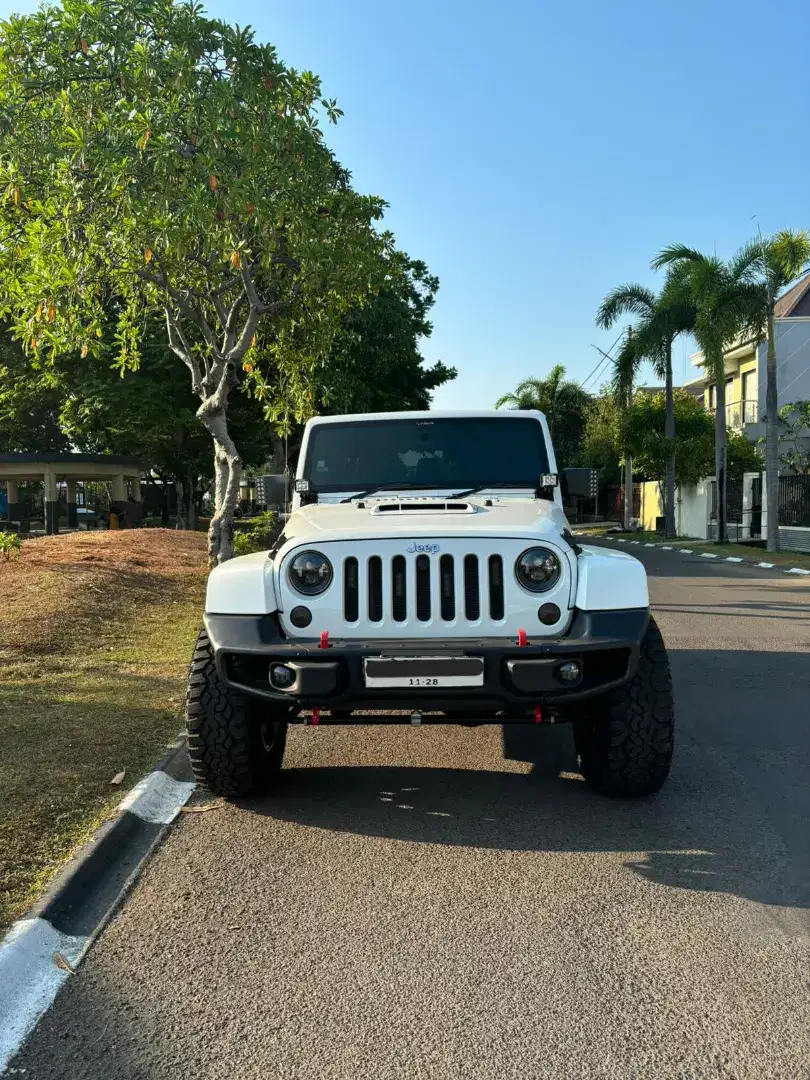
{"x": 771, "y": 265}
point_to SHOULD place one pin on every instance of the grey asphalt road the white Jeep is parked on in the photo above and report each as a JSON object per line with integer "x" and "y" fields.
{"x": 454, "y": 903}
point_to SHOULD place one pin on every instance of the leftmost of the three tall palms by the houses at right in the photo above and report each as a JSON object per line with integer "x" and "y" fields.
{"x": 660, "y": 320}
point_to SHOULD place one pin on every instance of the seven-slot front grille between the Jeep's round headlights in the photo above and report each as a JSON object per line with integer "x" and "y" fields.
{"x": 426, "y": 589}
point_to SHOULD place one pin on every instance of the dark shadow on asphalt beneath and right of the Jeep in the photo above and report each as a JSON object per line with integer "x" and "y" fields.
{"x": 734, "y": 817}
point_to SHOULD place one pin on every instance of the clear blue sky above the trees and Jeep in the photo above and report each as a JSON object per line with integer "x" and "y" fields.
{"x": 535, "y": 155}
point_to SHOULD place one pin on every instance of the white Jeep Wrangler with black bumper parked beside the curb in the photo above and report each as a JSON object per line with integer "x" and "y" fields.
{"x": 427, "y": 575}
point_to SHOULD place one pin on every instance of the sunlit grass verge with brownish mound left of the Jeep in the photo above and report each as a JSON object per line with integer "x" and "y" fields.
{"x": 96, "y": 634}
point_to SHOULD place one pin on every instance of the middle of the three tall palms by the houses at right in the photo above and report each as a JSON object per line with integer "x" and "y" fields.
{"x": 728, "y": 306}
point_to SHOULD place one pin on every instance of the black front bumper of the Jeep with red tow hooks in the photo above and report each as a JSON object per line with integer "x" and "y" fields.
{"x": 517, "y": 679}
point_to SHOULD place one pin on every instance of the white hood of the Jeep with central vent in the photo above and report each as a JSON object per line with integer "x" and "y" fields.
{"x": 411, "y": 518}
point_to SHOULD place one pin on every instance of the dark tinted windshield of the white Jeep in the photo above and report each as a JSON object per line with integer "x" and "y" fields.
{"x": 454, "y": 453}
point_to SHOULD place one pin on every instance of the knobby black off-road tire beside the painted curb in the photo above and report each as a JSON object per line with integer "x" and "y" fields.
{"x": 236, "y": 746}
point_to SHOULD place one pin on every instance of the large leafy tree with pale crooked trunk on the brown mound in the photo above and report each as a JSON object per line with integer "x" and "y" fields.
{"x": 170, "y": 161}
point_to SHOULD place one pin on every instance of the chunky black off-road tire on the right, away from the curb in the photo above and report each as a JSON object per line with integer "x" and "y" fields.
{"x": 626, "y": 738}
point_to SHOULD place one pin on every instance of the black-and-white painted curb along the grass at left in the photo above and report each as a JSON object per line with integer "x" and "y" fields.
{"x": 44, "y": 949}
